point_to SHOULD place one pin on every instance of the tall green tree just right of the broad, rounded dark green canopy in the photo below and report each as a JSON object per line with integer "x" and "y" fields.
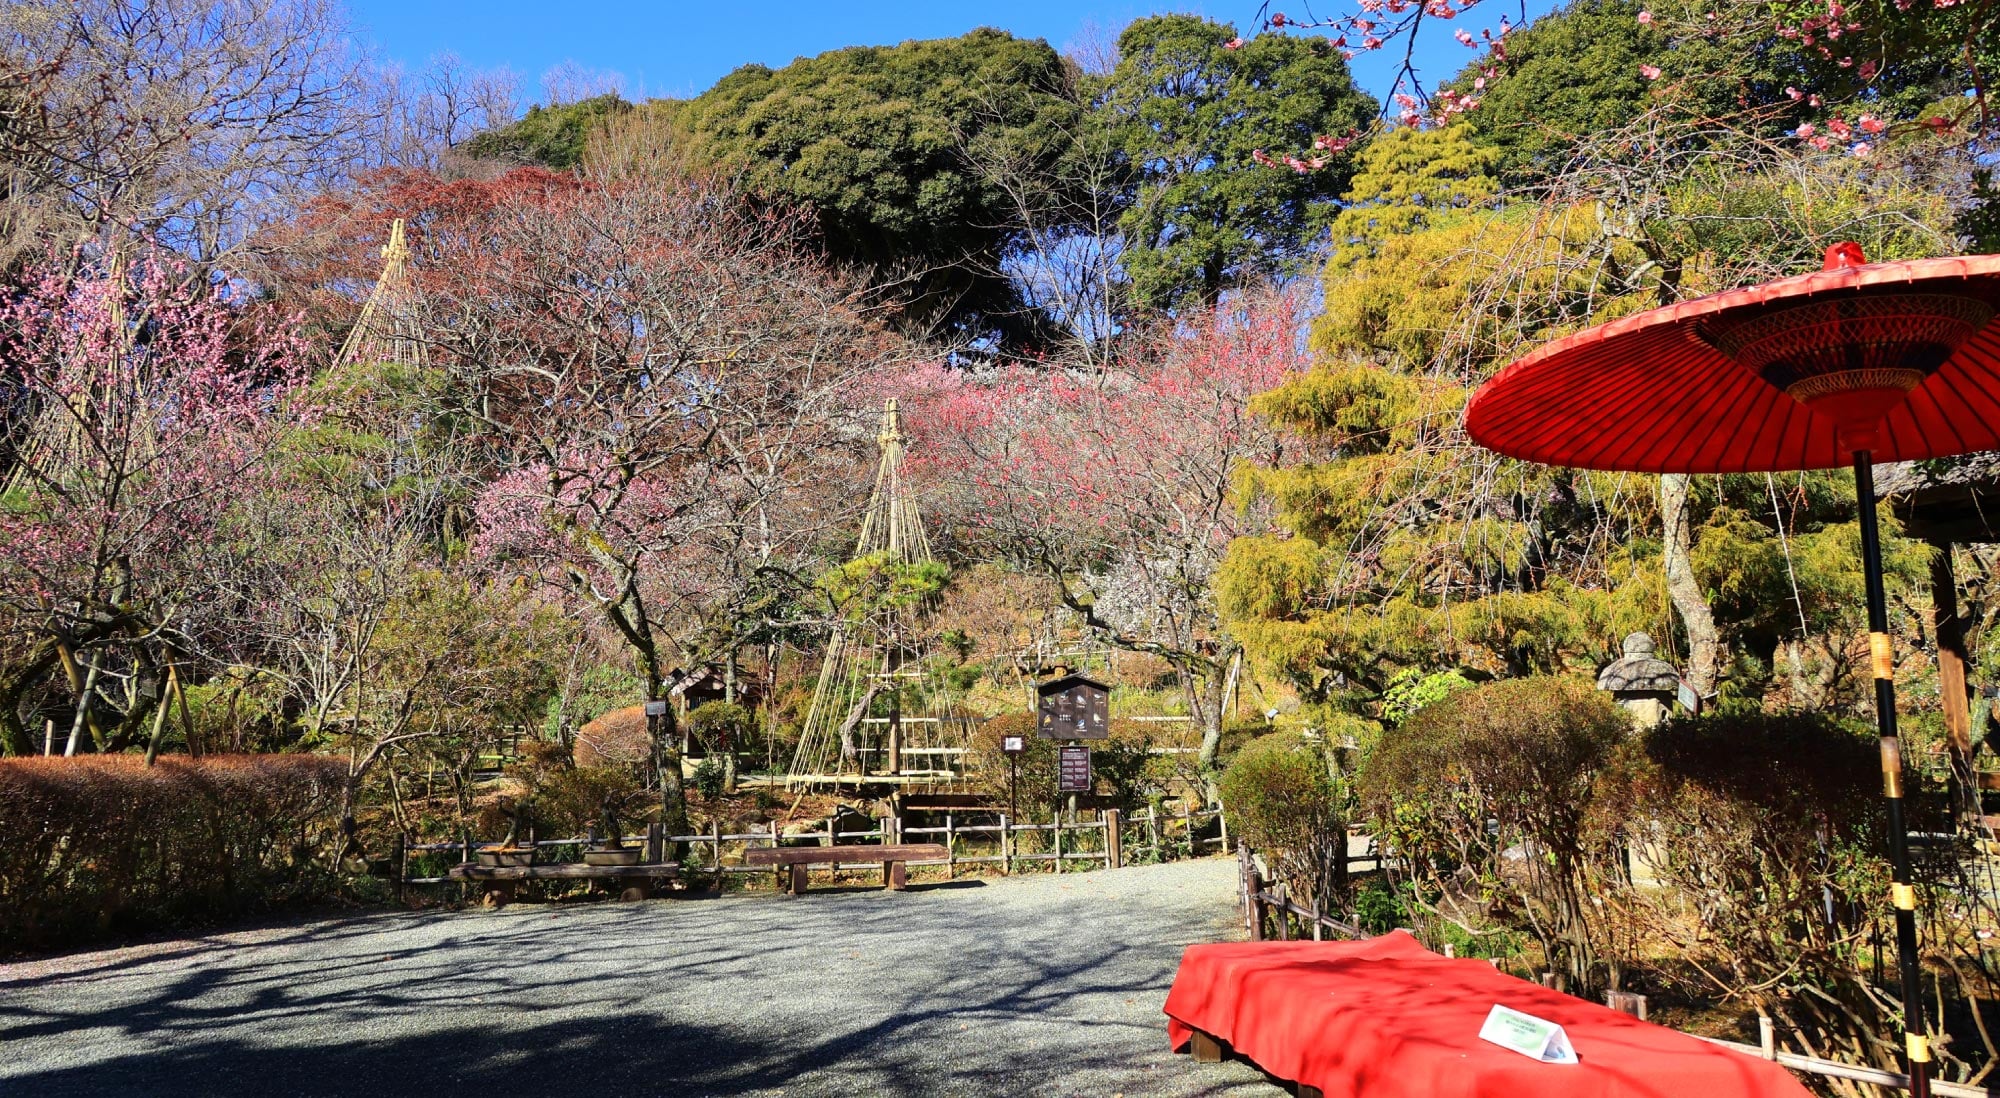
{"x": 1193, "y": 103}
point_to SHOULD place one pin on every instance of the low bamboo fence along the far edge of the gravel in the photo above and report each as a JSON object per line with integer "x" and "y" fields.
{"x": 1111, "y": 841}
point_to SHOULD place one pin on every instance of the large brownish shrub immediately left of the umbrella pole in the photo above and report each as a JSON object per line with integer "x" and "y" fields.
{"x": 1757, "y": 825}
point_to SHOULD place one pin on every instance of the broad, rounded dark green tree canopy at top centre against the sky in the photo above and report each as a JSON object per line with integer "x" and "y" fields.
{"x": 881, "y": 143}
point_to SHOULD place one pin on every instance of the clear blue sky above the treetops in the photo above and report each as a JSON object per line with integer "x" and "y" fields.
{"x": 679, "y": 49}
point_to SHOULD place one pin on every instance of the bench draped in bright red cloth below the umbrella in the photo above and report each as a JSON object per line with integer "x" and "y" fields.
{"x": 1389, "y": 1019}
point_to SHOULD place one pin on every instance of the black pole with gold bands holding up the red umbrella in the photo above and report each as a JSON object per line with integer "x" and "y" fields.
{"x": 1917, "y": 1045}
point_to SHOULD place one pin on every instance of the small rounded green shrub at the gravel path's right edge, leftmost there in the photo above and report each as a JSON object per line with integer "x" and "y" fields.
{"x": 1283, "y": 801}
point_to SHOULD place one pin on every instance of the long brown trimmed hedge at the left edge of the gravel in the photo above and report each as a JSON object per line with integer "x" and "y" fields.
{"x": 107, "y": 845}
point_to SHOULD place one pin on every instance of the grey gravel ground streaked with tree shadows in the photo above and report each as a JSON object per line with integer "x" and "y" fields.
{"x": 1035, "y": 985}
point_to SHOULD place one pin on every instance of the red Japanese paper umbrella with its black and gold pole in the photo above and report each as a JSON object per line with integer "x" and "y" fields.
{"x": 1851, "y": 365}
